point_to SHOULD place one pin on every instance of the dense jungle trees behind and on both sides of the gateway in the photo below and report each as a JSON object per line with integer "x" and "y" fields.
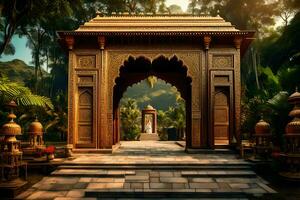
{"x": 270, "y": 68}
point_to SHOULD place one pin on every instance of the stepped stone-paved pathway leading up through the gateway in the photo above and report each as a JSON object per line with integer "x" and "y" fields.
{"x": 153, "y": 170}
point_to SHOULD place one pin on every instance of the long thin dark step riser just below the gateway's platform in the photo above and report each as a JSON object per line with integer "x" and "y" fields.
{"x": 161, "y": 167}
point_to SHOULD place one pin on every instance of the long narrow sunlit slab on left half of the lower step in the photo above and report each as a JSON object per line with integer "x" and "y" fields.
{"x": 91, "y": 173}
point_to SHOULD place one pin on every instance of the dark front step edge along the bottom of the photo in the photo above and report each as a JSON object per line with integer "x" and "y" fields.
{"x": 169, "y": 193}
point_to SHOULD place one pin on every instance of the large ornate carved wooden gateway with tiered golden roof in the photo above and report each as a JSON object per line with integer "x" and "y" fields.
{"x": 198, "y": 55}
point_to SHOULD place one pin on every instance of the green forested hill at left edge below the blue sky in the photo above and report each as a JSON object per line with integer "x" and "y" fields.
{"x": 17, "y": 70}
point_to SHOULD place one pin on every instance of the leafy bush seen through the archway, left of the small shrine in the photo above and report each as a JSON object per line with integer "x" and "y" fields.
{"x": 130, "y": 119}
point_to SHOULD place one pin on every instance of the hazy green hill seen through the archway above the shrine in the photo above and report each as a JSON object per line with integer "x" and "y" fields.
{"x": 161, "y": 96}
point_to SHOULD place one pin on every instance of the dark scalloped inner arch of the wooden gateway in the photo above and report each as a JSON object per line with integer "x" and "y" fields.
{"x": 136, "y": 69}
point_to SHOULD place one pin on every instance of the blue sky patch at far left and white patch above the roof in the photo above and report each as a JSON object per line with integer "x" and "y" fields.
{"x": 24, "y": 53}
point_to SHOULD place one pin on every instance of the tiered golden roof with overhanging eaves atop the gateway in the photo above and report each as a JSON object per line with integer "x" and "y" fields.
{"x": 159, "y": 25}
